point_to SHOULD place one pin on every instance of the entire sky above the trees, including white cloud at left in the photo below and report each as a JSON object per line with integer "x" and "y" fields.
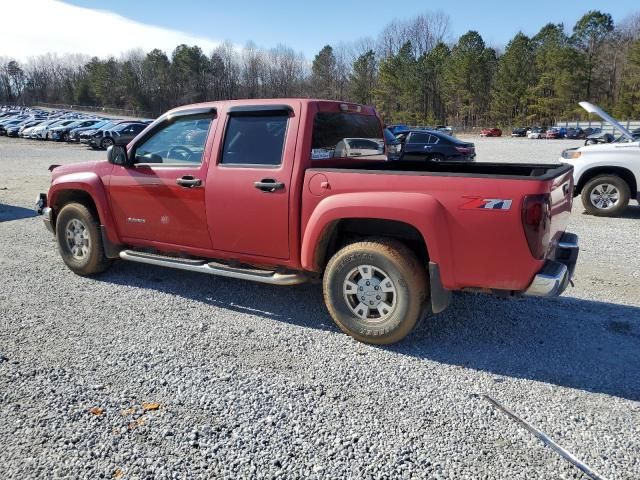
{"x": 114, "y": 27}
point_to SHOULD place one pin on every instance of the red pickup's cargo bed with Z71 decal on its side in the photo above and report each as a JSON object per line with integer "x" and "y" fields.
{"x": 469, "y": 214}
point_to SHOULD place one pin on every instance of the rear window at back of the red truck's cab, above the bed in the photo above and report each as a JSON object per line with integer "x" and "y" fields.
{"x": 347, "y": 135}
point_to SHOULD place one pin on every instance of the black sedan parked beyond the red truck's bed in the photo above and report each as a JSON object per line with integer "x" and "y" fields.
{"x": 425, "y": 145}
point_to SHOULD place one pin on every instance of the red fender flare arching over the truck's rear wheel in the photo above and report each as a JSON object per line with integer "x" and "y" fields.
{"x": 419, "y": 210}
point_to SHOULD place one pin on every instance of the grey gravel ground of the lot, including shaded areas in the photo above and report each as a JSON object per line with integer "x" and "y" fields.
{"x": 255, "y": 381}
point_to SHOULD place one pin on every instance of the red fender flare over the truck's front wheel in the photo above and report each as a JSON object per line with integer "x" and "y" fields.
{"x": 91, "y": 184}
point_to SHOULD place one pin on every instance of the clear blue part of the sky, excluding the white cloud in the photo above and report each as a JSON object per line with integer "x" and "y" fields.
{"x": 307, "y": 26}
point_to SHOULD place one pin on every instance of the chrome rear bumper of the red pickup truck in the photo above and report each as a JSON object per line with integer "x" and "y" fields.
{"x": 556, "y": 273}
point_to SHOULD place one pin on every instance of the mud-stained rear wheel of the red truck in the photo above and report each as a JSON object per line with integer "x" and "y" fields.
{"x": 398, "y": 264}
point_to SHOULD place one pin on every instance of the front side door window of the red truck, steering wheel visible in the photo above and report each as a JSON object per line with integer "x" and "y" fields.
{"x": 180, "y": 141}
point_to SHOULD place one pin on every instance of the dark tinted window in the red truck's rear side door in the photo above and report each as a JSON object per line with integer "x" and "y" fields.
{"x": 254, "y": 140}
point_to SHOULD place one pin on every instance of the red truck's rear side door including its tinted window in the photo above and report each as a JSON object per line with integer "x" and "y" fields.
{"x": 245, "y": 219}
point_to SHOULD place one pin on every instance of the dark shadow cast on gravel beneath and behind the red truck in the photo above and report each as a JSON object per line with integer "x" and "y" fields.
{"x": 570, "y": 342}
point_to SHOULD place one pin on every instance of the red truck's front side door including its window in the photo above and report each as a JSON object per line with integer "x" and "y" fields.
{"x": 146, "y": 199}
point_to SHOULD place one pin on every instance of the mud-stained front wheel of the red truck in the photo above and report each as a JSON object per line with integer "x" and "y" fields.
{"x": 93, "y": 260}
